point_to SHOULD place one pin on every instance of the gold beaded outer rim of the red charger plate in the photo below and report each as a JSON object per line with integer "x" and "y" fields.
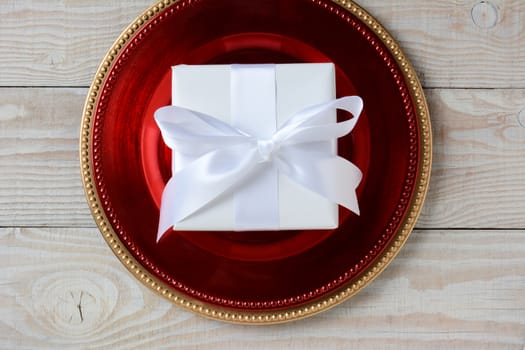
{"x": 254, "y": 317}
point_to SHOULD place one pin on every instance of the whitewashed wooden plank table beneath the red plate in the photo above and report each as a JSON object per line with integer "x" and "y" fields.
{"x": 459, "y": 283}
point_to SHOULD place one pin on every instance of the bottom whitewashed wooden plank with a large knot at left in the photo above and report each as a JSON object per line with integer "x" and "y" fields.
{"x": 63, "y": 288}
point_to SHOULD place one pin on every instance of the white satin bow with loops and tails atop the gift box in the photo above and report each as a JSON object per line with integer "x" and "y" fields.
{"x": 224, "y": 158}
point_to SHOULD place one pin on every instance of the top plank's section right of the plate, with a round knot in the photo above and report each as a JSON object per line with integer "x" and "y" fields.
{"x": 461, "y": 44}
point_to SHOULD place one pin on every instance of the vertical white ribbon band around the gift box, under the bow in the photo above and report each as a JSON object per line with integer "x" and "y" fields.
{"x": 253, "y": 109}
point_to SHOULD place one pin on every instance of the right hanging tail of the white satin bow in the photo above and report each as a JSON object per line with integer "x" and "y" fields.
{"x": 332, "y": 177}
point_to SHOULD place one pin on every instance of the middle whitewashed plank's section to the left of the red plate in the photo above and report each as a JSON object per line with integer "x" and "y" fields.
{"x": 40, "y": 180}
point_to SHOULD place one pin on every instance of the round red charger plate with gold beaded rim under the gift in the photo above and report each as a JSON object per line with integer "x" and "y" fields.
{"x": 255, "y": 277}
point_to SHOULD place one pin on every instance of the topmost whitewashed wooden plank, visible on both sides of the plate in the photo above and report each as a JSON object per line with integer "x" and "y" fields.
{"x": 451, "y": 43}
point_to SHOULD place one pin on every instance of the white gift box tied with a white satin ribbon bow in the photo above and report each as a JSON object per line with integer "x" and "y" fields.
{"x": 256, "y": 102}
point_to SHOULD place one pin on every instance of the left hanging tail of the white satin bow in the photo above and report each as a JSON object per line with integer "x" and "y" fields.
{"x": 202, "y": 181}
